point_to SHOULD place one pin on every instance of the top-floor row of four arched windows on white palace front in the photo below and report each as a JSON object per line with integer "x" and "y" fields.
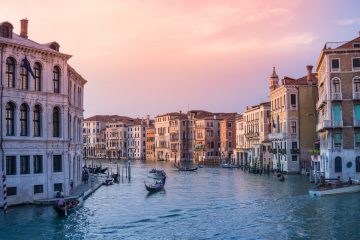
{"x": 10, "y": 75}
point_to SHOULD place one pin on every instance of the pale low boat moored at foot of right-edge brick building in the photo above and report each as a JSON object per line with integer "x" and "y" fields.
{"x": 334, "y": 188}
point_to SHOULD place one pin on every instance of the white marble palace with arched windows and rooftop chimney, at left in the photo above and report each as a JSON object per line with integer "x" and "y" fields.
{"x": 40, "y": 119}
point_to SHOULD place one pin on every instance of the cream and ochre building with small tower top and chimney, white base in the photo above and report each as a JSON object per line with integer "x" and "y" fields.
{"x": 293, "y": 120}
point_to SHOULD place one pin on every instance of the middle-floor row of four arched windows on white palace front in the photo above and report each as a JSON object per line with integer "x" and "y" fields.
{"x": 24, "y": 118}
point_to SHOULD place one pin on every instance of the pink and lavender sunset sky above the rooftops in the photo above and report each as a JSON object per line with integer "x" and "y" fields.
{"x": 151, "y": 57}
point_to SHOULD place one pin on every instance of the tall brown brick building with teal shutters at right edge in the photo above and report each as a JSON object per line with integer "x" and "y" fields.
{"x": 338, "y": 109}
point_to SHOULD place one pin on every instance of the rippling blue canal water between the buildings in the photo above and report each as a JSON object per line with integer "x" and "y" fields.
{"x": 212, "y": 203}
